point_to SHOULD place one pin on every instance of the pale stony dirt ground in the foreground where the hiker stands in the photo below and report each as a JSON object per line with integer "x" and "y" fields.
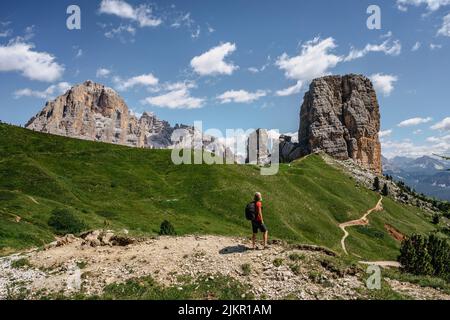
{"x": 99, "y": 259}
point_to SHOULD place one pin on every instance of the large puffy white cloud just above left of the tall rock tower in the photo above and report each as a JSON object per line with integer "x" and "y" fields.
{"x": 315, "y": 60}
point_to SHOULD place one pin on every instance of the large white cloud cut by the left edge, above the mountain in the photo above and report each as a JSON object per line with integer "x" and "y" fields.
{"x": 21, "y": 57}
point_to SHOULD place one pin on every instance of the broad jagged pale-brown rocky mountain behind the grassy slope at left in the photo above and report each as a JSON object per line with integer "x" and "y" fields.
{"x": 92, "y": 111}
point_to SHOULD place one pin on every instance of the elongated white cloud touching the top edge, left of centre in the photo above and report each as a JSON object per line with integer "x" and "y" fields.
{"x": 141, "y": 14}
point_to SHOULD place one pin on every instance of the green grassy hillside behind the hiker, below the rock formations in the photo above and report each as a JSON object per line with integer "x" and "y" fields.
{"x": 136, "y": 189}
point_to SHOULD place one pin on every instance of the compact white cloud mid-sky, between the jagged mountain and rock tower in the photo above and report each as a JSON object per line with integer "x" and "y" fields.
{"x": 212, "y": 62}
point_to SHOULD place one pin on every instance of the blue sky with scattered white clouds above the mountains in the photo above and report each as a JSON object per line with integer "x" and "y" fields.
{"x": 234, "y": 64}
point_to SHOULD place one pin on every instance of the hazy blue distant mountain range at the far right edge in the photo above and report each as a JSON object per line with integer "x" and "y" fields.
{"x": 425, "y": 174}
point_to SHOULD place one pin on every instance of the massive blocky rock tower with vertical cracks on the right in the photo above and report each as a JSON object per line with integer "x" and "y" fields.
{"x": 340, "y": 115}
